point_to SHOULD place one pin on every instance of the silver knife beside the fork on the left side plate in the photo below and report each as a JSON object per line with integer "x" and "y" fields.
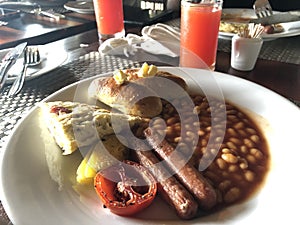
{"x": 9, "y": 60}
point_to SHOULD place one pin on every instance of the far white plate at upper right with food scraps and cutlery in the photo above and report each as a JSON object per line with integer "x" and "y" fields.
{"x": 243, "y": 16}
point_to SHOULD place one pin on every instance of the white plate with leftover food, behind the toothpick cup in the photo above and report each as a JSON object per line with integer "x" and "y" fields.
{"x": 290, "y": 29}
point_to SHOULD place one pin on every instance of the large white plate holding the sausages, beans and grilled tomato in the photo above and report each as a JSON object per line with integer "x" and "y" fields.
{"x": 30, "y": 196}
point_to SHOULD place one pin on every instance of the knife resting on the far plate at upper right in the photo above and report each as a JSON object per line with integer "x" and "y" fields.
{"x": 283, "y": 17}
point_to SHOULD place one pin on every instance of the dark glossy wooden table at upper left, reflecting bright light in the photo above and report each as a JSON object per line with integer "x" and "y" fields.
{"x": 40, "y": 30}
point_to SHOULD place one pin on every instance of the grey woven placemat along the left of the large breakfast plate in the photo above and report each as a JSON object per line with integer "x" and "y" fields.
{"x": 91, "y": 64}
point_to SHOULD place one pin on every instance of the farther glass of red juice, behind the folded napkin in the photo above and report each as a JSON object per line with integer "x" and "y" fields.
{"x": 109, "y": 18}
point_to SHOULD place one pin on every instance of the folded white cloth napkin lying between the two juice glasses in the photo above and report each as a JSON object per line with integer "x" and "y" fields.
{"x": 159, "y": 39}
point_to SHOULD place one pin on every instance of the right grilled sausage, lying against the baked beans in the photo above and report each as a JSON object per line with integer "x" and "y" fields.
{"x": 189, "y": 176}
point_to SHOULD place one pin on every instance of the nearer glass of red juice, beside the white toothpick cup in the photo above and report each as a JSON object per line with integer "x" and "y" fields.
{"x": 200, "y": 22}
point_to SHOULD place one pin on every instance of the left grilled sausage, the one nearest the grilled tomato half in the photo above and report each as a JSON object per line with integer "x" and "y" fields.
{"x": 172, "y": 191}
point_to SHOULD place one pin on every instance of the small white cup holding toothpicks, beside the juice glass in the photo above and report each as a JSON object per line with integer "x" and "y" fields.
{"x": 244, "y": 52}
